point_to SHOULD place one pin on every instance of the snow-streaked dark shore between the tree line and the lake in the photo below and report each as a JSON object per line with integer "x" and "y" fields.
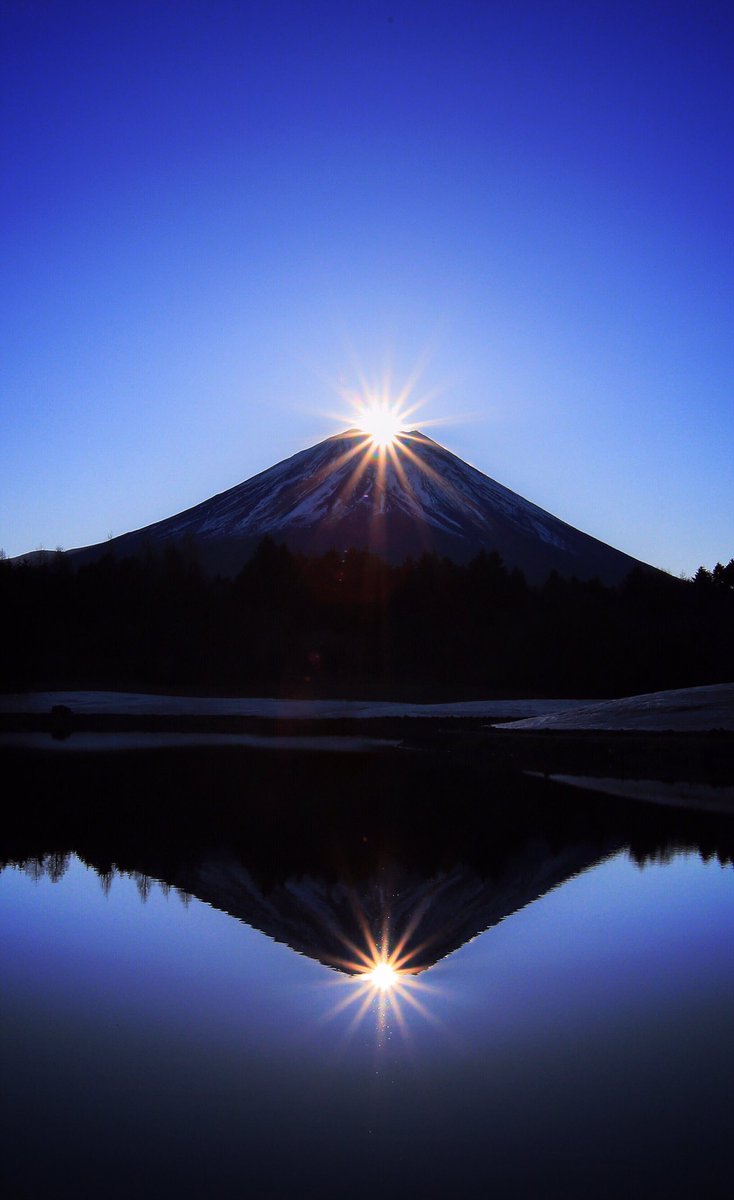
{"x": 684, "y": 740}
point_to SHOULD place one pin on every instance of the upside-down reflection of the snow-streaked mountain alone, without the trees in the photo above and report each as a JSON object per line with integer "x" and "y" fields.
{"x": 423, "y": 919}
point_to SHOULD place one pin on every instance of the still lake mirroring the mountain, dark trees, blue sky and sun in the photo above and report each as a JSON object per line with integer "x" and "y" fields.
{"x": 189, "y": 1005}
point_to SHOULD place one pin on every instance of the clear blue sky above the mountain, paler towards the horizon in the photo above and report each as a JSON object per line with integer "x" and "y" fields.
{"x": 215, "y": 214}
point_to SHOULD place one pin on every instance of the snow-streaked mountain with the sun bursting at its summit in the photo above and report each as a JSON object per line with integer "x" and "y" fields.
{"x": 407, "y": 500}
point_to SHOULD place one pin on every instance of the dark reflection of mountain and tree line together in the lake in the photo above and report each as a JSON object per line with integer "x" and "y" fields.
{"x": 344, "y": 861}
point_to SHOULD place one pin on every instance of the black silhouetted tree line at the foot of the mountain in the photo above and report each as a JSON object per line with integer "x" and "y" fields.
{"x": 352, "y": 625}
